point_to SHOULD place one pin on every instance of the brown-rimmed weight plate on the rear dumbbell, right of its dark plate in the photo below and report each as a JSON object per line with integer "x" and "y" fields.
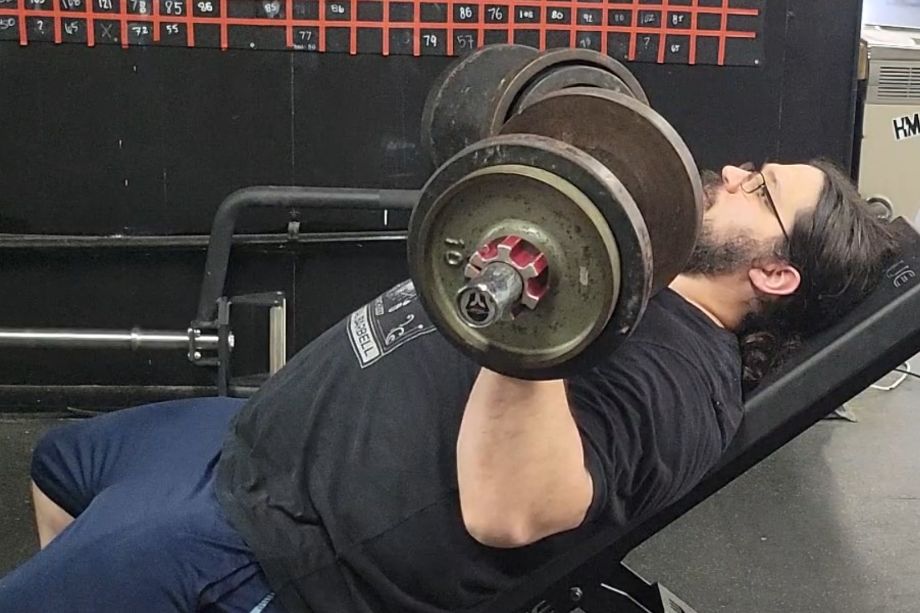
{"x": 545, "y": 65}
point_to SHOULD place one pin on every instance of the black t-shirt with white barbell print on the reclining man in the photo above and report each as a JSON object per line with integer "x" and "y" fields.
{"x": 340, "y": 472}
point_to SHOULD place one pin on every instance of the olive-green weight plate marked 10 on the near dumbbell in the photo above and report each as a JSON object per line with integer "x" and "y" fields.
{"x": 551, "y": 214}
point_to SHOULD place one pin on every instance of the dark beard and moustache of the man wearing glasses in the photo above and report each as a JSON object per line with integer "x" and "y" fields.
{"x": 719, "y": 255}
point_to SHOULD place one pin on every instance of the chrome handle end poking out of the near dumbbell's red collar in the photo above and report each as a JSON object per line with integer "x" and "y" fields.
{"x": 489, "y": 296}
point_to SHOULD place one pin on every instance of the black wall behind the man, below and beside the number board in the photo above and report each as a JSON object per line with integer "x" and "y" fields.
{"x": 148, "y": 141}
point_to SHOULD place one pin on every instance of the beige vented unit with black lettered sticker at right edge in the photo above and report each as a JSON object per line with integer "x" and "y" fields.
{"x": 889, "y": 169}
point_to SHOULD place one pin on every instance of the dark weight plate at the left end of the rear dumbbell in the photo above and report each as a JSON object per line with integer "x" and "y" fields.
{"x": 457, "y": 110}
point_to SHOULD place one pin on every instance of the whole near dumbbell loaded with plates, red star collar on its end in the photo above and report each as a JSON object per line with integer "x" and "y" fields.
{"x": 536, "y": 250}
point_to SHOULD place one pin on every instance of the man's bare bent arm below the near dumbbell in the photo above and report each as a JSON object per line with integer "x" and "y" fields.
{"x": 520, "y": 462}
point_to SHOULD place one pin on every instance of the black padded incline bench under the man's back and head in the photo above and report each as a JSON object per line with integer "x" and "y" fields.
{"x": 831, "y": 368}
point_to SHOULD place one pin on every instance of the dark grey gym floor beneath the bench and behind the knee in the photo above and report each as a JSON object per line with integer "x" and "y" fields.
{"x": 831, "y": 522}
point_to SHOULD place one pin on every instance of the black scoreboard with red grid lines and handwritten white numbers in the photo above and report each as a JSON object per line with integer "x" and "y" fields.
{"x": 722, "y": 32}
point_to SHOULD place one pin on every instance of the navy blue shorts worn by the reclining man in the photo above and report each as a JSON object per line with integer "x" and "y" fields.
{"x": 149, "y": 534}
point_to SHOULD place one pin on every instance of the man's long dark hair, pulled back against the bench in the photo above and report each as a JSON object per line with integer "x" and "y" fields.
{"x": 839, "y": 249}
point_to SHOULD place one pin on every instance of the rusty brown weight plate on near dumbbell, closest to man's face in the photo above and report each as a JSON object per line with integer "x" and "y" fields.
{"x": 642, "y": 150}
